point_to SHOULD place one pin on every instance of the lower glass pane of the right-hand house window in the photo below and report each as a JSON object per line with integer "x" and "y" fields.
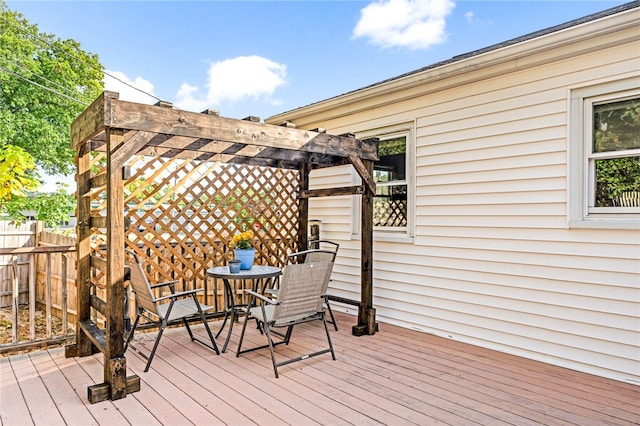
{"x": 618, "y": 182}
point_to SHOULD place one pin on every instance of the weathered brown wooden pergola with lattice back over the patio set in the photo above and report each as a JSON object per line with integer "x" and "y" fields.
{"x": 110, "y": 133}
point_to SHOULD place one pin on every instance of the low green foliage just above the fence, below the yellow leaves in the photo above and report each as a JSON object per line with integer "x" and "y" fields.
{"x": 52, "y": 208}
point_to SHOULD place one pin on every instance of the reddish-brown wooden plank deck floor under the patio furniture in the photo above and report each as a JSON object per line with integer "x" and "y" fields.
{"x": 395, "y": 377}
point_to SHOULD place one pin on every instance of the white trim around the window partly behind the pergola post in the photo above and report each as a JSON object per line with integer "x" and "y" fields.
{"x": 403, "y": 234}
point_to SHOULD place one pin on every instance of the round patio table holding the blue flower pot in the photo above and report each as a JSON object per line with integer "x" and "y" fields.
{"x": 261, "y": 277}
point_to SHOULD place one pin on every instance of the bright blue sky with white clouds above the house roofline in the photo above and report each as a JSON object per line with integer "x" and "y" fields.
{"x": 265, "y": 57}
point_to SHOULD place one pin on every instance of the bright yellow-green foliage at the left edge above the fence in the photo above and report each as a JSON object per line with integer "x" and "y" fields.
{"x": 16, "y": 173}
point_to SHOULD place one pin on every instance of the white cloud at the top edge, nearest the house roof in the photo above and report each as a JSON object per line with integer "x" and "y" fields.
{"x": 414, "y": 24}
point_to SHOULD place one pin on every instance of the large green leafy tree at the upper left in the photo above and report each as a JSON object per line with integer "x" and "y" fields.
{"x": 32, "y": 117}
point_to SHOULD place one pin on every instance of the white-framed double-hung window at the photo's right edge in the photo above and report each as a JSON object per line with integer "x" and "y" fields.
{"x": 605, "y": 160}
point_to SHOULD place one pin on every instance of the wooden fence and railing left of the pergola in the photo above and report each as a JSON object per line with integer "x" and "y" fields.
{"x": 37, "y": 286}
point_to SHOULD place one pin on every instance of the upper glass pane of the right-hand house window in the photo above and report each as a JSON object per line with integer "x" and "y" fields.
{"x": 616, "y": 126}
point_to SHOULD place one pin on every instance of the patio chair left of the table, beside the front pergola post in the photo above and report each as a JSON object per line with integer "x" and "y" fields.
{"x": 162, "y": 310}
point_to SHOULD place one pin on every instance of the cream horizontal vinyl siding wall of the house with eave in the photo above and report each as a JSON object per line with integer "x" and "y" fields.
{"x": 492, "y": 260}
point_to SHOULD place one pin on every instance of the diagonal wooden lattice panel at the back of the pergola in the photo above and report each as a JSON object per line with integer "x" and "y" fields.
{"x": 184, "y": 212}
